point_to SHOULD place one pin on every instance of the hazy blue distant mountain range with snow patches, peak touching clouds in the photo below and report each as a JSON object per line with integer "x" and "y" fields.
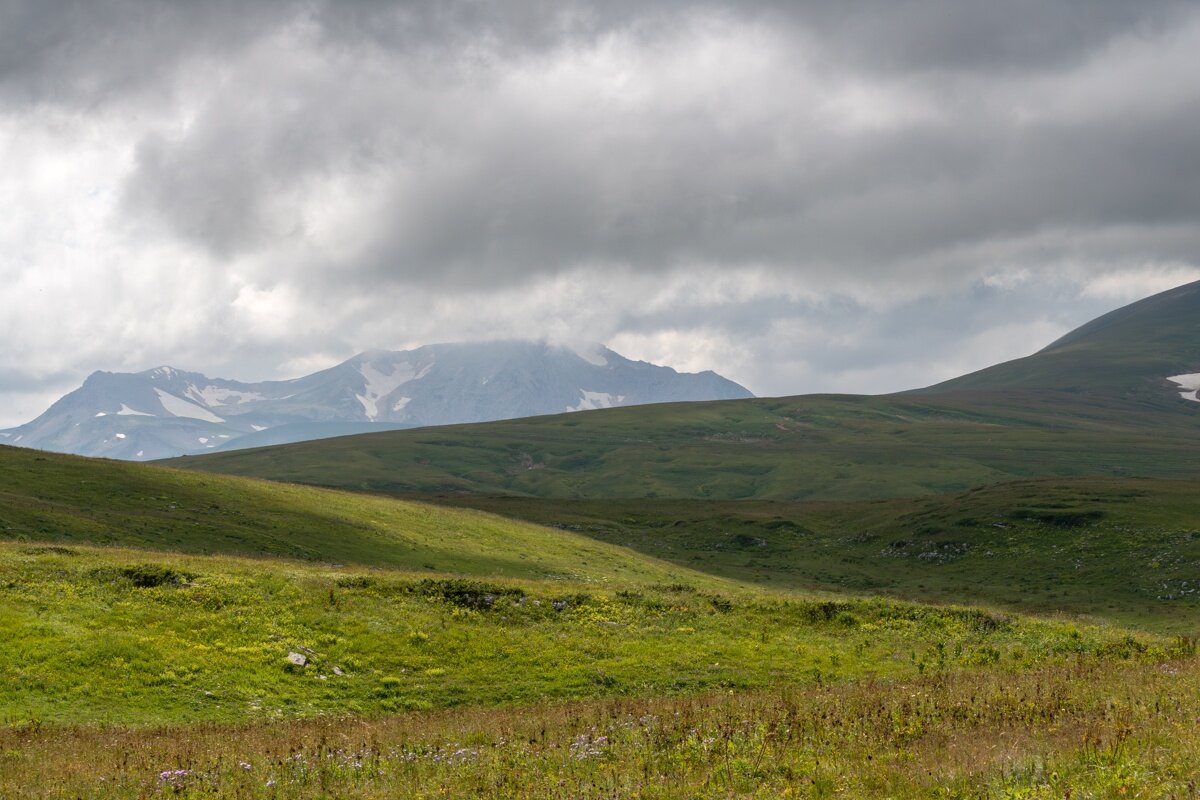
{"x": 167, "y": 412}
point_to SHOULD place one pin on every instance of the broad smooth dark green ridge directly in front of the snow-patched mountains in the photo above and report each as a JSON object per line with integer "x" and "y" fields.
{"x": 785, "y": 449}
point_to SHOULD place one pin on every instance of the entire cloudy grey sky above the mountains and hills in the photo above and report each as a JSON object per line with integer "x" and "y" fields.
{"x": 860, "y": 197}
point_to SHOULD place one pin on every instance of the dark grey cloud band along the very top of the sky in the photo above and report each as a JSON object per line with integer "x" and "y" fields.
{"x": 63, "y": 49}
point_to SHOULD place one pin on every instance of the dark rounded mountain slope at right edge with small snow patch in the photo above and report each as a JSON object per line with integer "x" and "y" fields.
{"x": 1148, "y": 351}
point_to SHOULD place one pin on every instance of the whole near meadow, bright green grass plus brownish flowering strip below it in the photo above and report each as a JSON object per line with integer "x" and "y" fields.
{"x": 139, "y": 675}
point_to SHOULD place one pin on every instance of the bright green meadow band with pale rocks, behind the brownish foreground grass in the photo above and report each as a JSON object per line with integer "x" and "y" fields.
{"x": 113, "y": 636}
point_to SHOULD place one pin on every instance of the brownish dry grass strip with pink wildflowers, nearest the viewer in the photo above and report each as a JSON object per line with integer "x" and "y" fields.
{"x": 1085, "y": 729}
